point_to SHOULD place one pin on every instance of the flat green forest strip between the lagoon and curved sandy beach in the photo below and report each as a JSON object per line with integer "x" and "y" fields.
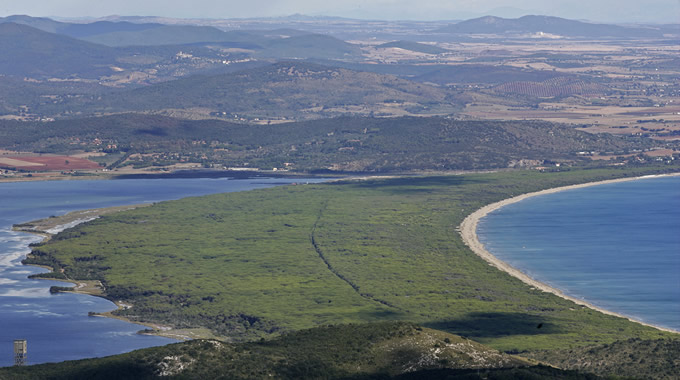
{"x": 259, "y": 263}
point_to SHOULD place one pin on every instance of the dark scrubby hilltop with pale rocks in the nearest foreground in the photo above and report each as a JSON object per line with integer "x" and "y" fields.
{"x": 368, "y": 351}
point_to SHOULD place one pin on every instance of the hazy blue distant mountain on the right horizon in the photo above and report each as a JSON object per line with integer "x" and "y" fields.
{"x": 547, "y": 24}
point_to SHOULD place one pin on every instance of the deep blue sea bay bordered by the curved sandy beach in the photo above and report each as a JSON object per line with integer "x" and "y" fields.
{"x": 616, "y": 246}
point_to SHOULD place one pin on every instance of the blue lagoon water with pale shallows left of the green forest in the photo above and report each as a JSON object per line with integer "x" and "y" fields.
{"x": 57, "y": 327}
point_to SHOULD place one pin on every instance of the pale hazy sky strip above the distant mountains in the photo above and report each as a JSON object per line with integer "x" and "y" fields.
{"x": 648, "y": 11}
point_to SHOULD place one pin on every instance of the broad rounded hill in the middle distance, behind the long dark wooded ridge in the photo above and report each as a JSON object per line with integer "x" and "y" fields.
{"x": 294, "y": 90}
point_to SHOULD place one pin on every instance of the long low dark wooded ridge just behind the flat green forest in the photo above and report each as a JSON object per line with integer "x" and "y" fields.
{"x": 340, "y": 144}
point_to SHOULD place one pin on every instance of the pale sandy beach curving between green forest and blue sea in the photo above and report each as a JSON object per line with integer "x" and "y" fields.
{"x": 468, "y": 232}
